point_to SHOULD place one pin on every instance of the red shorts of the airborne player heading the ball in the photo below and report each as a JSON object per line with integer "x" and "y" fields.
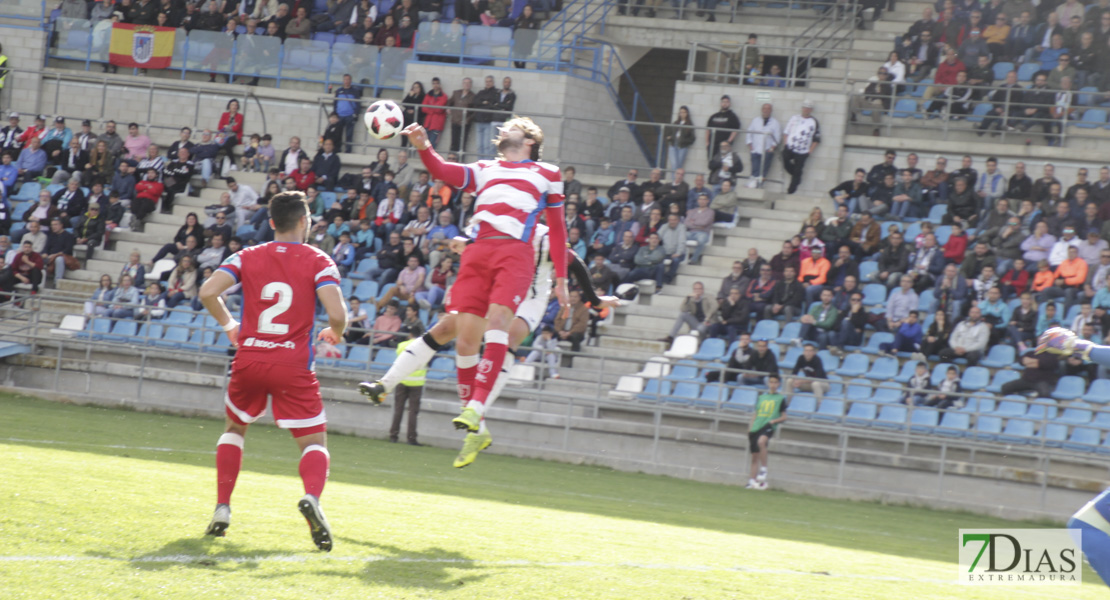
{"x": 493, "y": 272}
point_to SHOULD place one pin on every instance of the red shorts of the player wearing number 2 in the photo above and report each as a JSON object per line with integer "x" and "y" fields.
{"x": 294, "y": 393}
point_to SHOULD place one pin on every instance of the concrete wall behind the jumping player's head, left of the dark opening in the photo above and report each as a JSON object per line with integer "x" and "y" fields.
{"x": 556, "y": 101}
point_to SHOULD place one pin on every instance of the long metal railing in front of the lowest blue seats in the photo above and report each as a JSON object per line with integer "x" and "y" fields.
{"x": 32, "y": 324}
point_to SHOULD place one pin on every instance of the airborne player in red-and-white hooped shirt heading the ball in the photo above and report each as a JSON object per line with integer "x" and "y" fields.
{"x": 498, "y": 269}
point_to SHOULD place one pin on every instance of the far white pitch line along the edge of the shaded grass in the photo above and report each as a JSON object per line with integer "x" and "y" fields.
{"x": 629, "y": 501}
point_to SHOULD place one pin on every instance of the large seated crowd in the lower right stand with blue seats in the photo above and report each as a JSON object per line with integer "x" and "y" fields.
{"x": 951, "y": 263}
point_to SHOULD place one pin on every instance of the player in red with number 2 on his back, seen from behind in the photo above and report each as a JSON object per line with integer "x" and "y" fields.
{"x": 281, "y": 282}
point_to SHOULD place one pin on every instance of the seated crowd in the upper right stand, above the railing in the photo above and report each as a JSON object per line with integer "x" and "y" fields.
{"x": 957, "y": 46}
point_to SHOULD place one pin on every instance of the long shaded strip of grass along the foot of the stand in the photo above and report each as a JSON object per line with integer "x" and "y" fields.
{"x": 906, "y": 532}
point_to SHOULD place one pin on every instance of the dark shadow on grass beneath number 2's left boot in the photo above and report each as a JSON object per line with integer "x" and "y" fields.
{"x": 204, "y": 553}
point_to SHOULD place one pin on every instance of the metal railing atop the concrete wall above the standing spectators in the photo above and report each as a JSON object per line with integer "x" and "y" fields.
{"x": 724, "y": 64}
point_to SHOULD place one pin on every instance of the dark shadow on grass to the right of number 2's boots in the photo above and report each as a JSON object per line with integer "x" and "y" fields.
{"x": 432, "y": 568}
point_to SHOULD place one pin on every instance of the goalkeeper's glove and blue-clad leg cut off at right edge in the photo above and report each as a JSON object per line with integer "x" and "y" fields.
{"x": 1094, "y": 520}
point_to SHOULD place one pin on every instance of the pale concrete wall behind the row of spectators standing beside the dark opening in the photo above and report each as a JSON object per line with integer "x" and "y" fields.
{"x": 823, "y": 170}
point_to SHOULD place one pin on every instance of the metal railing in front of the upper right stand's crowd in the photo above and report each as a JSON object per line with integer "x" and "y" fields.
{"x": 943, "y": 116}
